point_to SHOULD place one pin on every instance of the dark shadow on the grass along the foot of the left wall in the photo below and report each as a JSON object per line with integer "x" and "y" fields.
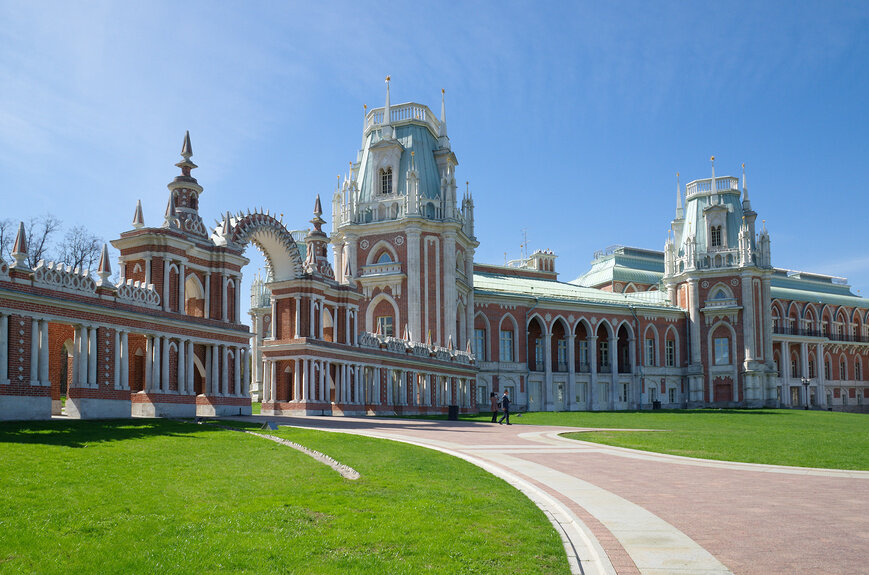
{"x": 78, "y": 434}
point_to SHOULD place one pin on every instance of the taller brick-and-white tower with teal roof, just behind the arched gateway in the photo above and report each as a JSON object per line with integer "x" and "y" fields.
{"x": 399, "y": 232}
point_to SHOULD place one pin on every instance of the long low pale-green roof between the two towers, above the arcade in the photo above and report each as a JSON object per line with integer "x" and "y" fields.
{"x": 551, "y": 290}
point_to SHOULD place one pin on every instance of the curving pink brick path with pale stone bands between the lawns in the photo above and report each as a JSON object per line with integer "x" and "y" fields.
{"x": 629, "y": 512}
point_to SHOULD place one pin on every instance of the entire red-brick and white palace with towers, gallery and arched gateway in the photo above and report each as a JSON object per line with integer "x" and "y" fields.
{"x": 390, "y": 312}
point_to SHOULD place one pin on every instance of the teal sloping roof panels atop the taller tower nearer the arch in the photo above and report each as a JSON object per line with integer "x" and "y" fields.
{"x": 414, "y": 138}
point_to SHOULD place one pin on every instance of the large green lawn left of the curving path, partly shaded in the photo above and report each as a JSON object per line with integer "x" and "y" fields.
{"x": 156, "y": 496}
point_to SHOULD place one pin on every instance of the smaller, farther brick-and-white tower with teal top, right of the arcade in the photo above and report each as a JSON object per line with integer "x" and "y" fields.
{"x": 719, "y": 270}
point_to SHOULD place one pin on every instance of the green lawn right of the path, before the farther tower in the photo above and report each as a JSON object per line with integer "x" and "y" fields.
{"x": 778, "y": 436}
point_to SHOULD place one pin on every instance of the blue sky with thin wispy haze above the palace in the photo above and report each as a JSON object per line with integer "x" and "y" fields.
{"x": 569, "y": 119}
